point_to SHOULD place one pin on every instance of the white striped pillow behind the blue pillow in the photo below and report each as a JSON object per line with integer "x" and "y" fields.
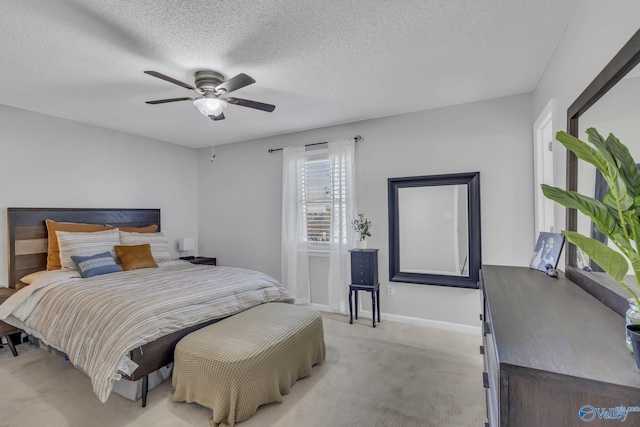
{"x": 73, "y": 243}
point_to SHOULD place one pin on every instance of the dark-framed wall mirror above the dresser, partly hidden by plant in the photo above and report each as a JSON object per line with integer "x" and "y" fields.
{"x": 609, "y": 104}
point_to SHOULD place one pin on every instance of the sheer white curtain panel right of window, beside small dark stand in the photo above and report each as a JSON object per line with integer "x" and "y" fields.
{"x": 343, "y": 211}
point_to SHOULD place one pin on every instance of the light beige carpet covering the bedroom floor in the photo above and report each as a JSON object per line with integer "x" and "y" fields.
{"x": 393, "y": 375}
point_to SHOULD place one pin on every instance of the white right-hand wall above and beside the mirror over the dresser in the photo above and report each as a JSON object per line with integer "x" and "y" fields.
{"x": 597, "y": 31}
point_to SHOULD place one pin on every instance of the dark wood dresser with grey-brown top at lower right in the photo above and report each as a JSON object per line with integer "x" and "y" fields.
{"x": 554, "y": 355}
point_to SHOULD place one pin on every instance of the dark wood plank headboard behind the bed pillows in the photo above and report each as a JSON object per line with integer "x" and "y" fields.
{"x": 27, "y": 232}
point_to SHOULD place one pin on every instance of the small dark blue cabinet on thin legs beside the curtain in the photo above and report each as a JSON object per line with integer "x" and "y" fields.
{"x": 364, "y": 277}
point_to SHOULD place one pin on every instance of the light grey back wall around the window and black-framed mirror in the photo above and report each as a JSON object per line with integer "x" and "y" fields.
{"x": 240, "y": 193}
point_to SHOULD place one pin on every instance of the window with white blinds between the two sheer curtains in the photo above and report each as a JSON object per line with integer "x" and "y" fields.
{"x": 316, "y": 200}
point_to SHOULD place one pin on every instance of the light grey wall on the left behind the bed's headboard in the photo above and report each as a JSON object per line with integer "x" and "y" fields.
{"x": 51, "y": 162}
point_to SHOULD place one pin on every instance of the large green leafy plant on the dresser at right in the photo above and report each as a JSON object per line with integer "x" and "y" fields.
{"x": 618, "y": 216}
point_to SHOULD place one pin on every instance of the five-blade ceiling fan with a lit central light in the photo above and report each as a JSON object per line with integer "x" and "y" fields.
{"x": 211, "y": 85}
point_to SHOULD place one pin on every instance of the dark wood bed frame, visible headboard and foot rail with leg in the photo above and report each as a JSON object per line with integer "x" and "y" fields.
{"x": 27, "y": 252}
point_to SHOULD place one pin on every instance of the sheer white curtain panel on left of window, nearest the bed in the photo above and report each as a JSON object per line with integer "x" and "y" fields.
{"x": 295, "y": 256}
